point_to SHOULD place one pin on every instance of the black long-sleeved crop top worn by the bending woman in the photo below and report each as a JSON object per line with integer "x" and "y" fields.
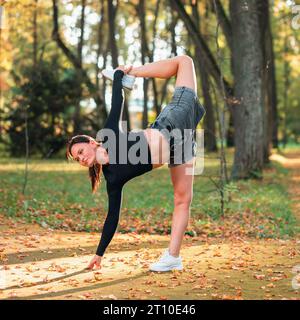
{"x": 119, "y": 170}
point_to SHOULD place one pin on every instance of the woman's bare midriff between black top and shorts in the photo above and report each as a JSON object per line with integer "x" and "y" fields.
{"x": 159, "y": 147}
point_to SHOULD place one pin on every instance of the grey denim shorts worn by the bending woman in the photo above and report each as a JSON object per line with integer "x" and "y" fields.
{"x": 178, "y": 122}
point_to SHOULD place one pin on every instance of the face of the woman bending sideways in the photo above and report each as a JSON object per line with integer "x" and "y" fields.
{"x": 84, "y": 153}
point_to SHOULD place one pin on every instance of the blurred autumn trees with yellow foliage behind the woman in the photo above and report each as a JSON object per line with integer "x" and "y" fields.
{"x": 246, "y": 54}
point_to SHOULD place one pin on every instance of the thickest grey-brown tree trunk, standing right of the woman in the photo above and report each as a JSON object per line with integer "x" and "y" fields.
{"x": 248, "y": 110}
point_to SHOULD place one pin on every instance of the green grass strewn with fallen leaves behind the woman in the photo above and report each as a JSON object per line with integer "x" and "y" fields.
{"x": 59, "y": 194}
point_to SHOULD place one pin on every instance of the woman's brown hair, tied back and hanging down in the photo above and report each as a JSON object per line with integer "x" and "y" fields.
{"x": 96, "y": 169}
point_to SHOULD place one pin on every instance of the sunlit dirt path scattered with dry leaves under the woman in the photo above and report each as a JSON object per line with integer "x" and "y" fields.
{"x": 40, "y": 263}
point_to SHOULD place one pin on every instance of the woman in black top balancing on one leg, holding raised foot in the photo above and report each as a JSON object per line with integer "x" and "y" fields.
{"x": 182, "y": 114}
